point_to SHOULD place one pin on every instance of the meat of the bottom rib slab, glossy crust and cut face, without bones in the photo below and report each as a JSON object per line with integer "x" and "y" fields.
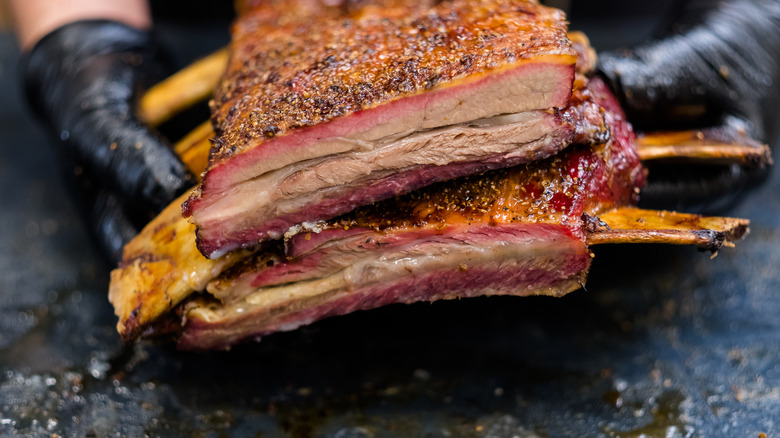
{"x": 518, "y": 231}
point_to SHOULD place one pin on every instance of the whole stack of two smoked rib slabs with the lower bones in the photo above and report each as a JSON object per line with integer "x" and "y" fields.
{"x": 305, "y": 141}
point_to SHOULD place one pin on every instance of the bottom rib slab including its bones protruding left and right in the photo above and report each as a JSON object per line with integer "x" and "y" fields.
{"x": 517, "y": 231}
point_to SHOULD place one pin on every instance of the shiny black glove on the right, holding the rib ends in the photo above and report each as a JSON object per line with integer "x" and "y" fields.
{"x": 716, "y": 64}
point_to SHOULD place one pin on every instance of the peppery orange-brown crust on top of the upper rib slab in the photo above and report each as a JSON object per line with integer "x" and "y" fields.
{"x": 301, "y": 63}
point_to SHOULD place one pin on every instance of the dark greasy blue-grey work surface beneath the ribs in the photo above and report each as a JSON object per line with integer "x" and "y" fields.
{"x": 665, "y": 342}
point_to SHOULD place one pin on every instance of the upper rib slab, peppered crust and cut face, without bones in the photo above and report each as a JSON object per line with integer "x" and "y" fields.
{"x": 326, "y": 108}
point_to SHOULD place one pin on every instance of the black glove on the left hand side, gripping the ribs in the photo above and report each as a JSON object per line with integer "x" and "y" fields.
{"x": 83, "y": 81}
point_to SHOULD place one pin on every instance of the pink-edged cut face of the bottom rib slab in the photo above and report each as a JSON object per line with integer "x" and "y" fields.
{"x": 492, "y": 260}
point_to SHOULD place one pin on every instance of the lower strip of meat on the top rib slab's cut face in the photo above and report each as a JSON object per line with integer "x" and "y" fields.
{"x": 267, "y": 206}
